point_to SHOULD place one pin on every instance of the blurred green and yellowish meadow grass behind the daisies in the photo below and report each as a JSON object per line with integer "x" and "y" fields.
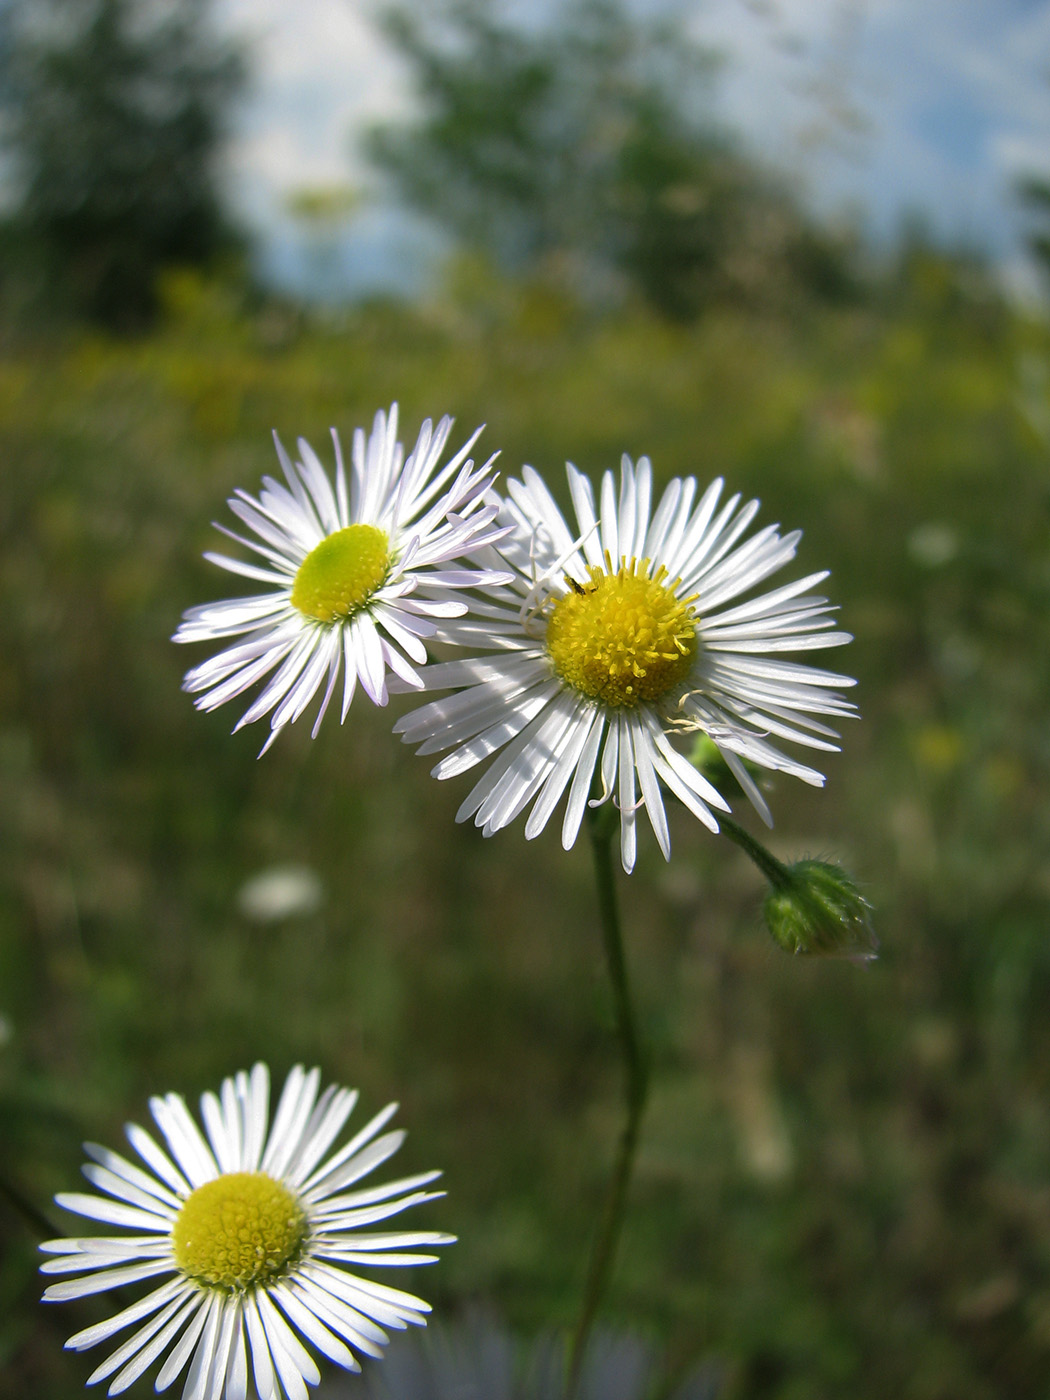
{"x": 845, "y": 1177}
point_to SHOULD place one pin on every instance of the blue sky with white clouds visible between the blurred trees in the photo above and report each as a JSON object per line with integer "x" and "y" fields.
{"x": 878, "y": 108}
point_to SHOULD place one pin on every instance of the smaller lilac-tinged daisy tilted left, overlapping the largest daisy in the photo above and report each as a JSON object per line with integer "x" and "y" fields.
{"x": 356, "y": 575}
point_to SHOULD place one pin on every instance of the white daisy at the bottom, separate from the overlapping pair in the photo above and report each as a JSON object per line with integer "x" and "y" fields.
{"x": 251, "y": 1234}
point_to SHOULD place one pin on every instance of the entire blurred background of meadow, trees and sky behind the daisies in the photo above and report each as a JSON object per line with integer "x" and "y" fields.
{"x": 797, "y": 244}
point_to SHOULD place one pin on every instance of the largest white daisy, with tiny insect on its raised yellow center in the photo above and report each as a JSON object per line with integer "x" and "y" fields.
{"x": 617, "y": 636}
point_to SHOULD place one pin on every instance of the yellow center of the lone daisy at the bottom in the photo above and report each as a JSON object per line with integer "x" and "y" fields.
{"x": 241, "y": 1230}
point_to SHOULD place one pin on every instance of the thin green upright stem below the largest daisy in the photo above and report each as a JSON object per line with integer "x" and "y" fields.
{"x": 603, "y": 827}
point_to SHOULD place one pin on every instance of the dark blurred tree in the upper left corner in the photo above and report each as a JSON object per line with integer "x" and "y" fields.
{"x": 115, "y": 113}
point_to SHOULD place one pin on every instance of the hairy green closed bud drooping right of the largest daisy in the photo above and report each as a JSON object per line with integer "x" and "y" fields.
{"x": 817, "y": 909}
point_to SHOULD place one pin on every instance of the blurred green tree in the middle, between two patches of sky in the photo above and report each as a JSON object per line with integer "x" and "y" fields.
{"x": 586, "y": 145}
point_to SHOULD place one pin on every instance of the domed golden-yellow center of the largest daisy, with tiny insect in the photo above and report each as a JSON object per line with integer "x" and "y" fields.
{"x": 624, "y": 639}
